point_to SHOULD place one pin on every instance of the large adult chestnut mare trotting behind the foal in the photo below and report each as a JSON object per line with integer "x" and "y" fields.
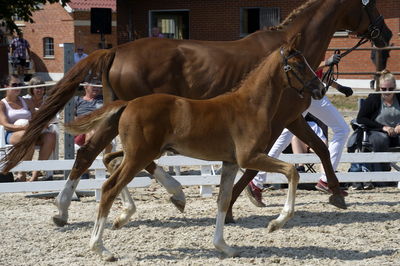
{"x": 197, "y": 69}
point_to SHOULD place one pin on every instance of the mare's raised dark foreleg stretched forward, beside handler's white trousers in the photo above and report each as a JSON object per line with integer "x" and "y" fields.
{"x": 301, "y": 129}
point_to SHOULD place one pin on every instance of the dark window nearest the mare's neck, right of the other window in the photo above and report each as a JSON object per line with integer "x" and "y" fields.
{"x": 256, "y": 18}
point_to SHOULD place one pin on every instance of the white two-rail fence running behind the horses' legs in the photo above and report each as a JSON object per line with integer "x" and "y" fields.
{"x": 207, "y": 178}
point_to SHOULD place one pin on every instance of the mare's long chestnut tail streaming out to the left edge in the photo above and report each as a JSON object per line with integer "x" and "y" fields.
{"x": 97, "y": 62}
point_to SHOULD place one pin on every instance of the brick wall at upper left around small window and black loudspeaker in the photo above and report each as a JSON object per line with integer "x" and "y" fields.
{"x": 54, "y": 21}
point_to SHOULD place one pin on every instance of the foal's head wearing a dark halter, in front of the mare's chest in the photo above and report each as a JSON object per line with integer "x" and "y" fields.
{"x": 299, "y": 75}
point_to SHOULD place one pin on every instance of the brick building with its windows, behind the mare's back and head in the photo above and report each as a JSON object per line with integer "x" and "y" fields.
{"x": 224, "y": 20}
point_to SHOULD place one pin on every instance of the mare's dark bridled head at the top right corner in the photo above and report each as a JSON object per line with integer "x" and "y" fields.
{"x": 363, "y": 18}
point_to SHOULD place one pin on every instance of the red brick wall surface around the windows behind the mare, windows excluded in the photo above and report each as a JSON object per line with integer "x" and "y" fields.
{"x": 220, "y": 20}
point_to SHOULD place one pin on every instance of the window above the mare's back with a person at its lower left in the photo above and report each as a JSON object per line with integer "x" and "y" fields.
{"x": 172, "y": 24}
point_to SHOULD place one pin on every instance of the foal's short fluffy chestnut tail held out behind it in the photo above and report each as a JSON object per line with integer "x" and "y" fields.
{"x": 92, "y": 120}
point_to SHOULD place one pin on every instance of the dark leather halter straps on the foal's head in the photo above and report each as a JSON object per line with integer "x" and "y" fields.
{"x": 287, "y": 68}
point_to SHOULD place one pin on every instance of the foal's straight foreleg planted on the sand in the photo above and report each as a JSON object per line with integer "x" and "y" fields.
{"x": 229, "y": 171}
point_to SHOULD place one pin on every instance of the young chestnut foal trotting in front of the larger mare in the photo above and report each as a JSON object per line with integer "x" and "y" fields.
{"x": 234, "y": 128}
